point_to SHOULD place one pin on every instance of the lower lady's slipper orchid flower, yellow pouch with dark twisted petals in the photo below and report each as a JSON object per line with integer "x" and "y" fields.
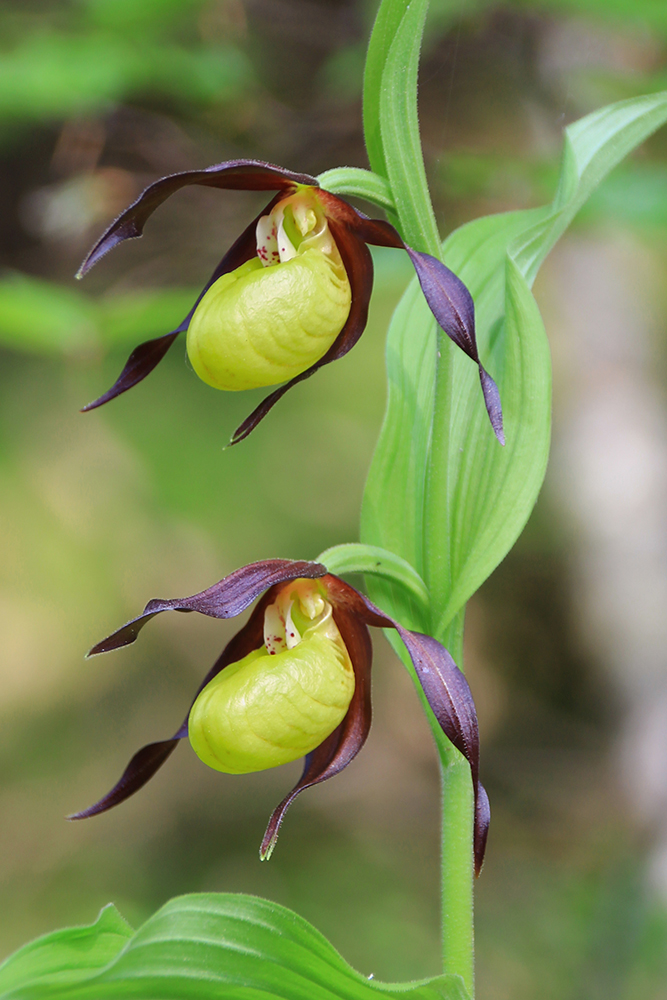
{"x": 295, "y": 682}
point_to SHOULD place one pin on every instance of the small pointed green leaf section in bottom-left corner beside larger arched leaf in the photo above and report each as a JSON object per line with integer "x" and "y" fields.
{"x": 65, "y": 956}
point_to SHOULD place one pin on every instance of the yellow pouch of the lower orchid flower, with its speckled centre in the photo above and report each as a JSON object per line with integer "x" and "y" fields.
{"x": 282, "y": 700}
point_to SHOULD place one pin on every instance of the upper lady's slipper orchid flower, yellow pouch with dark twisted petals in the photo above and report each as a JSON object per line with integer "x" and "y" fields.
{"x": 291, "y": 294}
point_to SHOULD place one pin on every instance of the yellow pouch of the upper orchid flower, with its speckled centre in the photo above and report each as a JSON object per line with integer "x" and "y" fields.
{"x": 279, "y": 313}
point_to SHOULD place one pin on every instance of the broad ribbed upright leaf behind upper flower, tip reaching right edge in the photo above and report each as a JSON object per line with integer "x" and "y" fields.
{"x": 490, "y": 491}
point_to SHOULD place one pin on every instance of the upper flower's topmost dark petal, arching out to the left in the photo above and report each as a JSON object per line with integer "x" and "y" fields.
{"x": 243, "y": 175}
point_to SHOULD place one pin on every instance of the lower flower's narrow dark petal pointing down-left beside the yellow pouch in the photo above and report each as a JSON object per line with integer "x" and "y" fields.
{"x": 150, "y": 758}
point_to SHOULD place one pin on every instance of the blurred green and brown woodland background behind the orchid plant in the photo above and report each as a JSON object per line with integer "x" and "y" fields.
{"x": 99, "y": 512}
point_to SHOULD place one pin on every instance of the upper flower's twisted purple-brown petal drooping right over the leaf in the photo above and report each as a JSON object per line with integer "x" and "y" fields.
{"x": 448, "y": 298}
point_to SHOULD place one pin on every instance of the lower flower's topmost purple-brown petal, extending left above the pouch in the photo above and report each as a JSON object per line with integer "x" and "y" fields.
{"x": 225, "y": 599}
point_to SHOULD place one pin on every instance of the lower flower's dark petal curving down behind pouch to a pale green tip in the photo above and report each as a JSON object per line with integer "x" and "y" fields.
{"x": 336, "y": 752}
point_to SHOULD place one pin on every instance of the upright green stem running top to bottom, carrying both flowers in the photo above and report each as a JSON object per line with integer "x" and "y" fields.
{"x": 394, "y": 146}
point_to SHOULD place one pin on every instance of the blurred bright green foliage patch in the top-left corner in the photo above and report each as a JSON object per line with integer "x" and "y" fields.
{"x": 100, "y": 52}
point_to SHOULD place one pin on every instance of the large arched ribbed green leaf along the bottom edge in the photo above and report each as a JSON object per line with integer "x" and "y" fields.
{"x": 214, "y": 946}
